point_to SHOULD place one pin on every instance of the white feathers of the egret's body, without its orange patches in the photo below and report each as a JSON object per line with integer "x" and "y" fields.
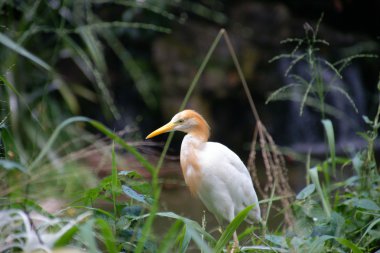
{"x": 225, "y": 186}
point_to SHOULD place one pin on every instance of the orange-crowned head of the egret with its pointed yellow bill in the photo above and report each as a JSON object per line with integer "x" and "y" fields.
{"x": 187, "y": 121}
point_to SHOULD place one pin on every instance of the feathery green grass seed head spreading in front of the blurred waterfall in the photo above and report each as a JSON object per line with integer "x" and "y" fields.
{"x": 313, "y": 87}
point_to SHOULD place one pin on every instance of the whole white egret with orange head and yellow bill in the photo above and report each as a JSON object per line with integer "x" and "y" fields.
{"x": 212, "y": 171}
